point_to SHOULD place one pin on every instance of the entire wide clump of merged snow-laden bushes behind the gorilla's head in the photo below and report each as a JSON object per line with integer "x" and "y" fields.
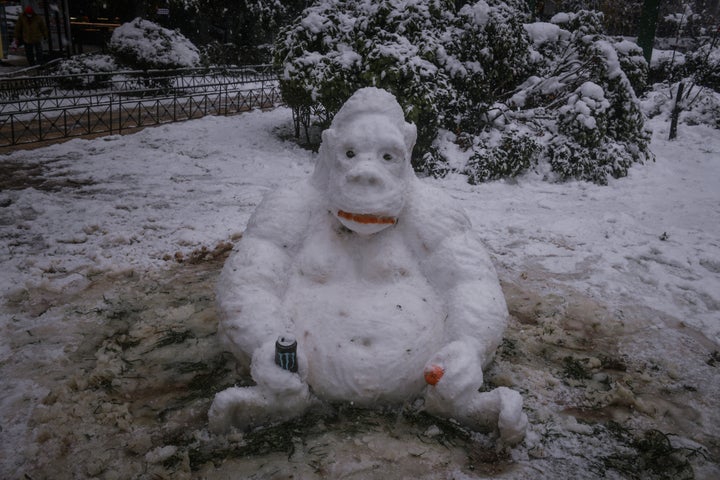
{"x": 473, "y": 72}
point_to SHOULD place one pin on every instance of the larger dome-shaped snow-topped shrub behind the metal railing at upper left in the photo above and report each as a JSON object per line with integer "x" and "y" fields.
{"x": 141, "y": 44}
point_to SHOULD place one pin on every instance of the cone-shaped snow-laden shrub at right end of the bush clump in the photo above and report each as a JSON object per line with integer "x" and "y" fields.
{"x": 600, "y": 129}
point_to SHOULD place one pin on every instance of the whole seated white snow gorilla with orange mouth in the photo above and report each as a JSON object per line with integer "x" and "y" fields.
{"x": 379, "y": 277}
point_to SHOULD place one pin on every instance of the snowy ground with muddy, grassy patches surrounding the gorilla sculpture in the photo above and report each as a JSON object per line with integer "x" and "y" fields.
{"x": 109, "y": 358}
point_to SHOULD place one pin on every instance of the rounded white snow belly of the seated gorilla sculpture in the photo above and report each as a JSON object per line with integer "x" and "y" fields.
{"x": 367, "y": 343}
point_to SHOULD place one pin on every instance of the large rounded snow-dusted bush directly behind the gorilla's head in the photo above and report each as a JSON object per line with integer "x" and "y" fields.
{"x": 430, "y": 58}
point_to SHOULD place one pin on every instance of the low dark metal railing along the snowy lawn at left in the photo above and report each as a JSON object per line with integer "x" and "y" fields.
{"x": 37, "y": 109}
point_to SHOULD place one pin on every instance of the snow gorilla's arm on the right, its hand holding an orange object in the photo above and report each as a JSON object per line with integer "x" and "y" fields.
{"x": 457, "y": 265}
